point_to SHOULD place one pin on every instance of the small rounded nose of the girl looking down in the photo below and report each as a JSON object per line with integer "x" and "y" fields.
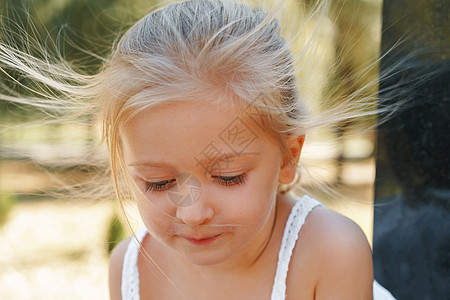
{"x": 197, "y": 214}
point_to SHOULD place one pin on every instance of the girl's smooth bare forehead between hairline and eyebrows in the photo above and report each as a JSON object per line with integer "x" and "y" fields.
{"x": 190, "y": 129}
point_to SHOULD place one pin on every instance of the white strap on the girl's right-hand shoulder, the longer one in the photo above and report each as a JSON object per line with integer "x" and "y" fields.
{"x": 294, "y": 223}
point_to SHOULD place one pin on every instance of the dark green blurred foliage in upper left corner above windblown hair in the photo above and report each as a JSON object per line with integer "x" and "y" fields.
{"x": 79, "y": 31}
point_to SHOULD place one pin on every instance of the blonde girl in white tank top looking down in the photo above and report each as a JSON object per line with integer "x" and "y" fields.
{"x": 205, "y": 128}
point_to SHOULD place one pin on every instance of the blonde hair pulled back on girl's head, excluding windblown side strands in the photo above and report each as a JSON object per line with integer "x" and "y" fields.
{"x": 194, "y": 47}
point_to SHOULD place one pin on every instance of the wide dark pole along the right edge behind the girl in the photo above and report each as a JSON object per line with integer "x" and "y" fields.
{"x": 412, "y": 187}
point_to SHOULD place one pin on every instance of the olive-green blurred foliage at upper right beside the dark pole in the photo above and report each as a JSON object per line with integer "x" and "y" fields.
{"x": 358, "y": 31}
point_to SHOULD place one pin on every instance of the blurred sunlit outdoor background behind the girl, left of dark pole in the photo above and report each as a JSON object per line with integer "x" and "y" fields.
{"x": 57, "y": 248}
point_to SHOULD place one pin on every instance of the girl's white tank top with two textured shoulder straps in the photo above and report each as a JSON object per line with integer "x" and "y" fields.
{"x": 301, "y": 209}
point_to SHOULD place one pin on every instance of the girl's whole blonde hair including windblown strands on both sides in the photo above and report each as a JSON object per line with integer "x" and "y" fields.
{"x": 177, "y": 52}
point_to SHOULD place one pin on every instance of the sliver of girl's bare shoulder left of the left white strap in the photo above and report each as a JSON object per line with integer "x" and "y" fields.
{"x": 115, "y": 268}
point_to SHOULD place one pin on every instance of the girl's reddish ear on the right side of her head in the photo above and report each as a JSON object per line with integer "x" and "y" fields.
{"x": 290, "y": 160}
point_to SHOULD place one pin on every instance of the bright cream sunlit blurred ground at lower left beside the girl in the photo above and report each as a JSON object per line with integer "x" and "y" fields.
{"x": 55, "y": 250}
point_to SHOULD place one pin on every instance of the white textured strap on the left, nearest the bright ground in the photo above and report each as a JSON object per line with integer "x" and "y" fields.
{"x": 130, "y": 272}
